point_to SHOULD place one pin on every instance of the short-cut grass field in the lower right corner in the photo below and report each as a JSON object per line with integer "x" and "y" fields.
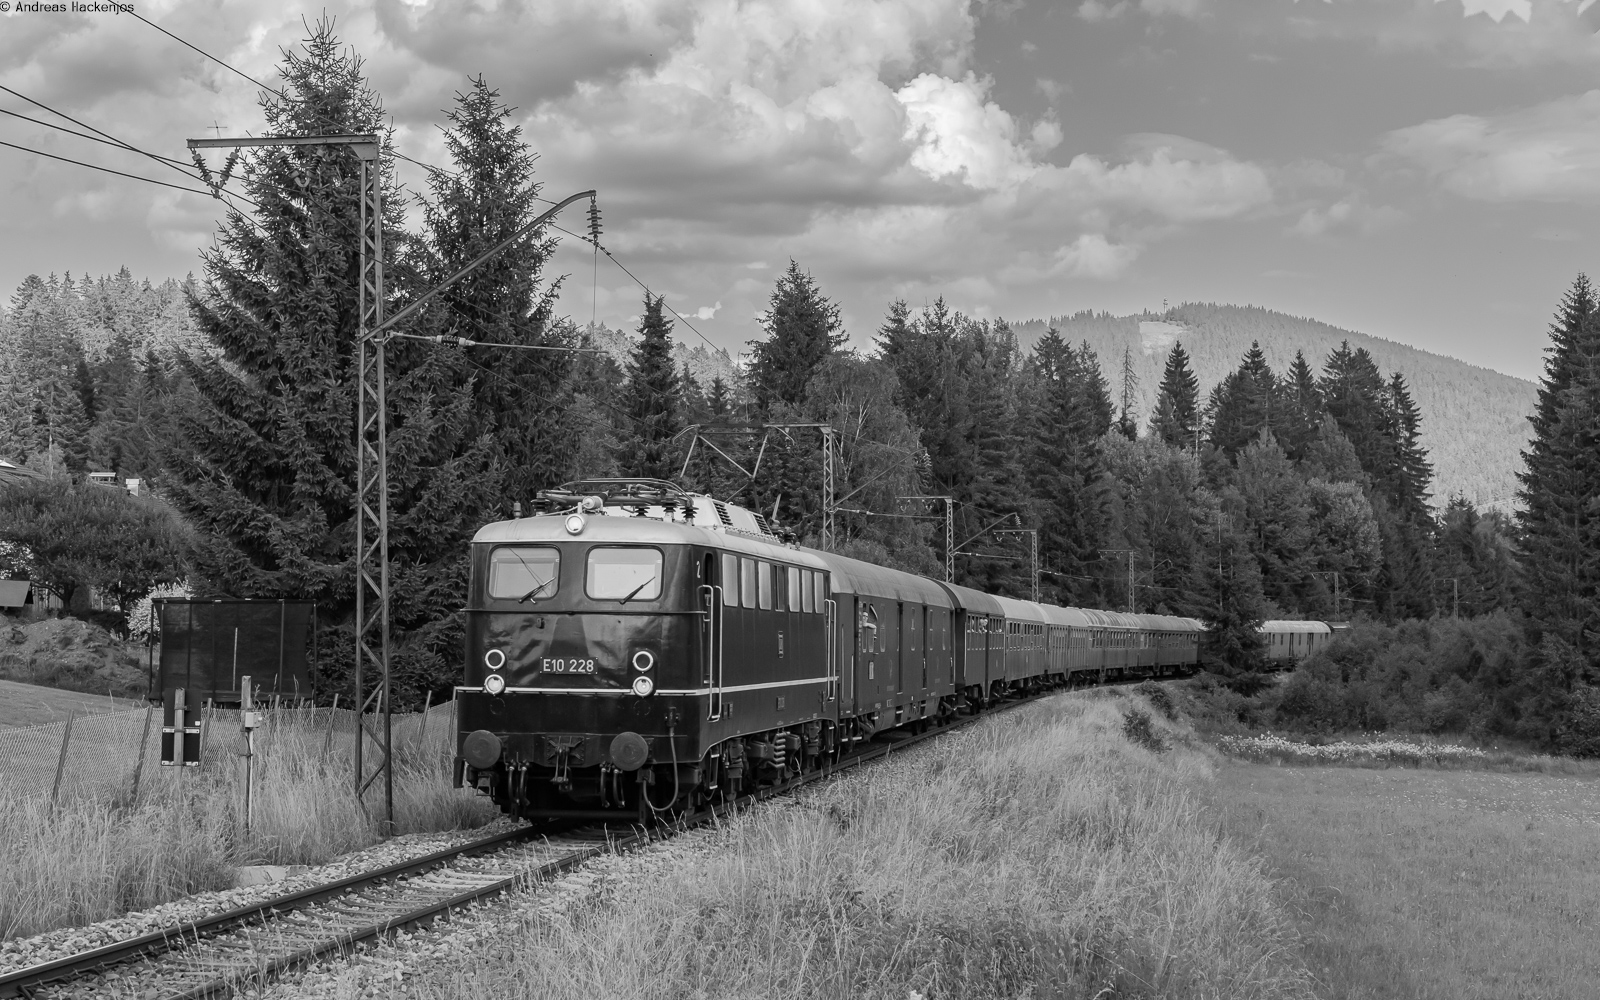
{"x": 1430, "y": 884}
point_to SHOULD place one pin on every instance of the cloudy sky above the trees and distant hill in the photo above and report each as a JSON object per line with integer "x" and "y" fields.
{"x": 1420, "y": 170}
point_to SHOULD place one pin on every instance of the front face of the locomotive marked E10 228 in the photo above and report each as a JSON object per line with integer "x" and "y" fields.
{"x": 583, "y": 687}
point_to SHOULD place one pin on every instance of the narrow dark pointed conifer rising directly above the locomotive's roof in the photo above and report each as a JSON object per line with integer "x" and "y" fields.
{"x": 654, "y": 401}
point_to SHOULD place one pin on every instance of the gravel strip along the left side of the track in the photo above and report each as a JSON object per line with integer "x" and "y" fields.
{"x": 63, "y": 943}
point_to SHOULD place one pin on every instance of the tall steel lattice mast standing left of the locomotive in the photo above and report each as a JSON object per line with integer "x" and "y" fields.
{"x": 372, "y": 500}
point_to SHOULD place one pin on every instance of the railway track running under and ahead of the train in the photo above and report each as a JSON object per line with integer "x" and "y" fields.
{"x": 217, "y": 956}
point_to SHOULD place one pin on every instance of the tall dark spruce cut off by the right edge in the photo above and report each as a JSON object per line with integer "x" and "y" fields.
{"x": 1561, "y": 513}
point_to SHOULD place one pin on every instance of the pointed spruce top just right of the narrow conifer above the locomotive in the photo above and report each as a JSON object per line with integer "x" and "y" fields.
{"x": 802, "y": 330}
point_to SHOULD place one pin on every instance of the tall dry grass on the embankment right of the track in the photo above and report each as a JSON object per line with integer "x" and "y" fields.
{"x": 1036, "y": 855}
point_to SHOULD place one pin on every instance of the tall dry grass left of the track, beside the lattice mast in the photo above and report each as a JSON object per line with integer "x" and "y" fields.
{"x": 97, "y": 857}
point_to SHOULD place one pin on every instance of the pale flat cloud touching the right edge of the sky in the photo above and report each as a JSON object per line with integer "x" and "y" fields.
{"x": 1550, "y": 153}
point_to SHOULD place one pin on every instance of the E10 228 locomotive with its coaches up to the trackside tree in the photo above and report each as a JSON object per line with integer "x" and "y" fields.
{"x": 636, "y": 650}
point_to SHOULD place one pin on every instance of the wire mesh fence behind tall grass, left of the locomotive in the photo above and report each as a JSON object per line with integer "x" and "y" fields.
{"x": 108, "y": 756}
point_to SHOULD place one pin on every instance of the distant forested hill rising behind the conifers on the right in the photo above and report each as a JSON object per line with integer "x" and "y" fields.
{"x": 1474, "y": 420}
